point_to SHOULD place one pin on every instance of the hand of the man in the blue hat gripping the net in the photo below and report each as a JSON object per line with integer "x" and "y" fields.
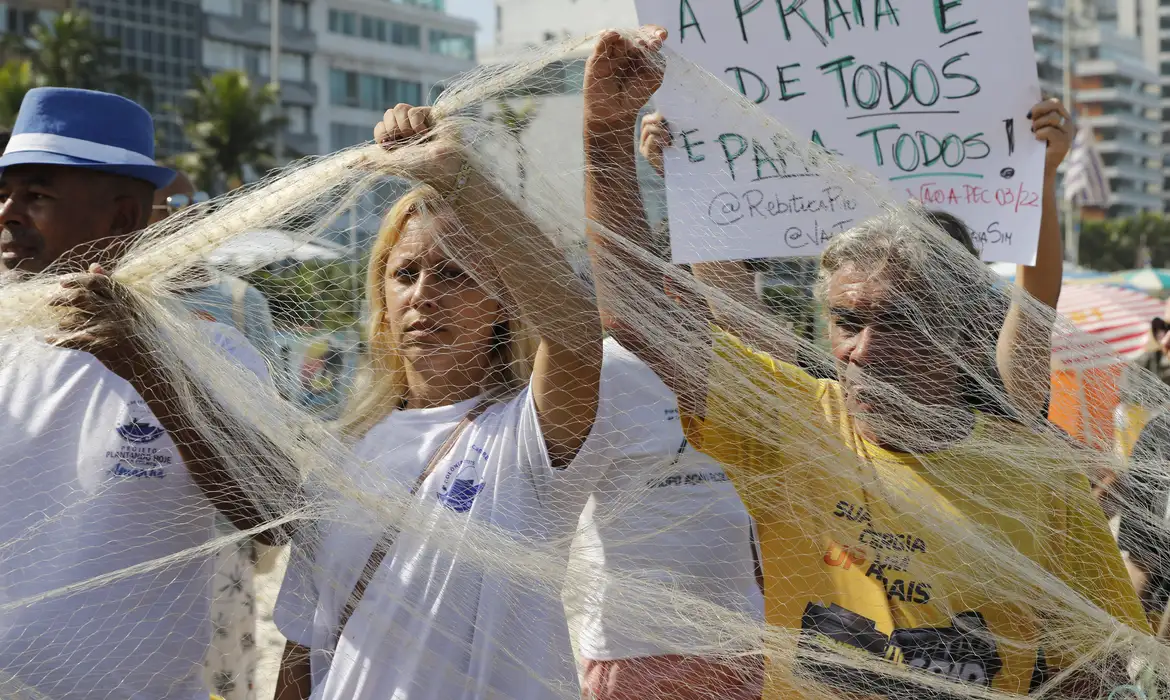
{"x": 100, "y": 319}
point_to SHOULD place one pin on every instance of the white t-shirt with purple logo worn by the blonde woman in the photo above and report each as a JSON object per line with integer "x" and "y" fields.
{"x": 431, "y": 626}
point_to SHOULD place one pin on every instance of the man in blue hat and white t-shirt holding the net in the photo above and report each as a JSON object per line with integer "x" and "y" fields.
{"x": 104, "y": 471}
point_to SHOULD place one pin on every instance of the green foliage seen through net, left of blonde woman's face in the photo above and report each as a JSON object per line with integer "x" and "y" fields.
{"x": 314, "y": 296}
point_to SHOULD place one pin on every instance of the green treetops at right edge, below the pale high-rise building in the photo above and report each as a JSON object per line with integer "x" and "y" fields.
{"x": 1116, "y": 245}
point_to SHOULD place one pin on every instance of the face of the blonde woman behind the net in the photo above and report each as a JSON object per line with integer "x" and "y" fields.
{"x": 439, "y": 318}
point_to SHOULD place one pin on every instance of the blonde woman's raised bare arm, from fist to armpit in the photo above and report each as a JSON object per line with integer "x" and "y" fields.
{"x": 536, "y": 278}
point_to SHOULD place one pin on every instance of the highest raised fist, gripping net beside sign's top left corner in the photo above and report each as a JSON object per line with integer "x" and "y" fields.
{"x": 622, "y": 76}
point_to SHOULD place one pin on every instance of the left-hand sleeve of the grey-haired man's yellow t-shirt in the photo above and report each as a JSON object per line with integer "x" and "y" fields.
{"x": 742, "y": 428}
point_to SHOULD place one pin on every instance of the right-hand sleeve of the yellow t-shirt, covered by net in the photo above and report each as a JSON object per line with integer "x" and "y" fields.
{"x": 1086, "y": 558}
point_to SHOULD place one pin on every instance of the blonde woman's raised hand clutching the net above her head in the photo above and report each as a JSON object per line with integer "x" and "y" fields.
{"x": 438, "y": 155}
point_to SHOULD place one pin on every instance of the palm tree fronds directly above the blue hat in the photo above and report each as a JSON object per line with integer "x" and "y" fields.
{"x": 71, "y": 53}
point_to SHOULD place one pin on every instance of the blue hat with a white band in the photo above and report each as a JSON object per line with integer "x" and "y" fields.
{"x": 86, "y": 129}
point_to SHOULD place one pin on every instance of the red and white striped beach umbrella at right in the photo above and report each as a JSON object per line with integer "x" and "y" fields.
{"x": 1116, "y": 324}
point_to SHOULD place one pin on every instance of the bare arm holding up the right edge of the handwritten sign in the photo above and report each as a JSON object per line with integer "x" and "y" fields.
{"x": 1024, "y": 352}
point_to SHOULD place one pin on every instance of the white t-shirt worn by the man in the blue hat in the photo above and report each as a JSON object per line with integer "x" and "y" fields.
{"x": 93, "y": 485}
